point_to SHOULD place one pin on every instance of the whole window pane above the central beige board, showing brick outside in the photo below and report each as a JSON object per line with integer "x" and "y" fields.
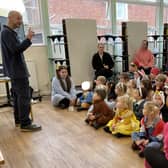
{"x": 87, "y": 9}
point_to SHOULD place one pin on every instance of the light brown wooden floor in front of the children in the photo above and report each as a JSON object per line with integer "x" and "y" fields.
{"x": 64, "y": 142}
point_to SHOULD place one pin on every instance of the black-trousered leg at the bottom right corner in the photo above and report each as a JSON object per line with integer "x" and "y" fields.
{"x": 155, "y": 158}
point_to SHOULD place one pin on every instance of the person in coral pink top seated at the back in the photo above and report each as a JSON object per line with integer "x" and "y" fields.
{"x": 144, "y": 58}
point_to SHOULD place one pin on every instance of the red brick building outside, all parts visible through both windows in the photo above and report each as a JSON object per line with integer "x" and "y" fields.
{"x": 96, "y": 9}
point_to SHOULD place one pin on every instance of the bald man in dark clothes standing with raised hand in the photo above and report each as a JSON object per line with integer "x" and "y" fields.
{"x": 15, "y": 67}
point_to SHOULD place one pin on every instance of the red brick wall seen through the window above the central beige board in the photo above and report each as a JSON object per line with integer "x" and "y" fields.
{"x": 93, "y": 9}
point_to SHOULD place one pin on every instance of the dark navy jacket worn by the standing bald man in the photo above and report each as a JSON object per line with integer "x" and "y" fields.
{"x": 12, "y": 54}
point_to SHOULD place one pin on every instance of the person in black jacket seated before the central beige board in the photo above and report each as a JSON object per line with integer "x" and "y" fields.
{"x": 102, "y": 62}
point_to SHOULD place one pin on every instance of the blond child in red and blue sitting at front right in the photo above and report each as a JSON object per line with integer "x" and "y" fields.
{"x": 151, "y": 129}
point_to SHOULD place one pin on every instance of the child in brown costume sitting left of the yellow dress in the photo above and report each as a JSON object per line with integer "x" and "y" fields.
{"x": 101, "y": 113}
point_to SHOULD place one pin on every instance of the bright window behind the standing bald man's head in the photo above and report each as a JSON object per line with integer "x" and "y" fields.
{"x": 30, "y": 10}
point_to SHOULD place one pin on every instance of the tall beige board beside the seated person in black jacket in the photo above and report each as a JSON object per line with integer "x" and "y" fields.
{"x": 82, "y": 44}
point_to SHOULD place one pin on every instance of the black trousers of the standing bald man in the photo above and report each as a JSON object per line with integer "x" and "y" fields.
{"x": 22, "y": 97}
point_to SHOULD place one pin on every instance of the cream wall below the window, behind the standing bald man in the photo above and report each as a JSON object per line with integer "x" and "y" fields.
{"x": 38, "y": 56}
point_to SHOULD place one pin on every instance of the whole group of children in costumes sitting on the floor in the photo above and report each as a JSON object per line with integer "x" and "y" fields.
{"x": 136, "y": 106}
